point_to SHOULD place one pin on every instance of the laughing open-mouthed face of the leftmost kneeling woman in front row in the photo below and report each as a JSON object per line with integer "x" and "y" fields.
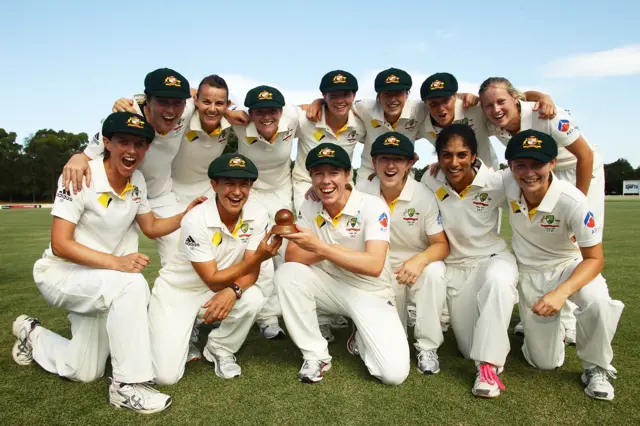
{"x": 126, "y": 152}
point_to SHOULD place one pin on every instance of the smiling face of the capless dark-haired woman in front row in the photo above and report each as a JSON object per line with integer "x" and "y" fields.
{"x": 456, "y": 162}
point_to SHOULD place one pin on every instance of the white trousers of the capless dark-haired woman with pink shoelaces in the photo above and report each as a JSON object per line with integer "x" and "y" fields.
{"x": 481, "y": 300}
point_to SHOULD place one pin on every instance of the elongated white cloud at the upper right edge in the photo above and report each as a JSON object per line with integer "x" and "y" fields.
{"x": 615, "y": 62}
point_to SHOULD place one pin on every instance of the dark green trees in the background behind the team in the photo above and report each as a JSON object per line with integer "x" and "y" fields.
{"x": 30, "y": 171}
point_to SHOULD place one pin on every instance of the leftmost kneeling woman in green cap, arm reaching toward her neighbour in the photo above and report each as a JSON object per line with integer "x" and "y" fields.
{"x": 82, "y": 271}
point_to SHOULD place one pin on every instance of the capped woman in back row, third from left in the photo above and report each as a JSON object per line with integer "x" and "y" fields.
{"x": 267, "y": 141}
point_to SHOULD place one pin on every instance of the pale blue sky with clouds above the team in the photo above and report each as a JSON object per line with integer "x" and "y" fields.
{"x": 65, "y": 62}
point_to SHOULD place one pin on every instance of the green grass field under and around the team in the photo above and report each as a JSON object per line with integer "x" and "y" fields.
{"x": 269, "y": 393}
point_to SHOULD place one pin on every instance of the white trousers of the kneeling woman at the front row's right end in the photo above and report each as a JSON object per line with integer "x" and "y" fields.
{"x": 597, "y": 319}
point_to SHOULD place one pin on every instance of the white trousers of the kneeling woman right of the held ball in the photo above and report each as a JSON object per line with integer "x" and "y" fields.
{"x": 381, "y": 341}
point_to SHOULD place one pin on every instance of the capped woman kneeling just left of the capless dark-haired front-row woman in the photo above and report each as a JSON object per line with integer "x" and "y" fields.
{"x": 418, "y": 242}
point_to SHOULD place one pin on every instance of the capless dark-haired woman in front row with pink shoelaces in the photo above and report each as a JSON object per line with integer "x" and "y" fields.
{"x": 481, "y": 271}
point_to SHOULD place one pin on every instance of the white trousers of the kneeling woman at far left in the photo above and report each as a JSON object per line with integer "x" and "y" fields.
{"x": 108, "y": 314}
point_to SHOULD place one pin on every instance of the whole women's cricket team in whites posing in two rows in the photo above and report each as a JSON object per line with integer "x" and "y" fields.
{"x": 381, "y": 249}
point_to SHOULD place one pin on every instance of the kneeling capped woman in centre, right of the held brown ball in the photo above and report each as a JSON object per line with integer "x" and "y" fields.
{"x": 337, "y": 262}
